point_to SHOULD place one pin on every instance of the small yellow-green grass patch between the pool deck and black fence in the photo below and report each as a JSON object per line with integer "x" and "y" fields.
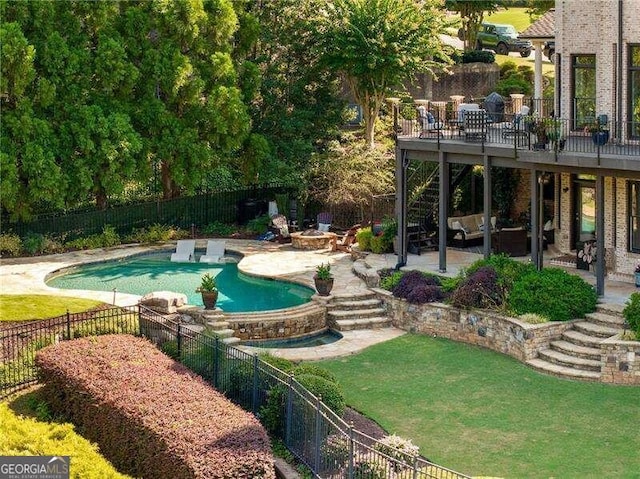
{"x": 22, "y": 307}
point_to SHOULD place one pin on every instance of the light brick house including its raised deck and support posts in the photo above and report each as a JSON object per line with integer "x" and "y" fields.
{"x": 591, "y": 156}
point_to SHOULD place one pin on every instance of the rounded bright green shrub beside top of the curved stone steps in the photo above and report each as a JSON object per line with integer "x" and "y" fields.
{"x": 553, "y": 293}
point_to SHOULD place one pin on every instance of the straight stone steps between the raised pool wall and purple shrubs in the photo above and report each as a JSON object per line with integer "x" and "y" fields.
{"x": 361, "y": 311}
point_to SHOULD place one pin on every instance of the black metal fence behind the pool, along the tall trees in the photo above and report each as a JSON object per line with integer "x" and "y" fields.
{"x": 234, "y": 206}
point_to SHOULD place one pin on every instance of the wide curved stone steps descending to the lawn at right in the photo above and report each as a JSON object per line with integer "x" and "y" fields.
{"x": 576, "y": 355}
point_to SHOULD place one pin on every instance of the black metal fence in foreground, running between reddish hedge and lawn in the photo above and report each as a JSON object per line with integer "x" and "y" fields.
{"x": 319, "y": 438}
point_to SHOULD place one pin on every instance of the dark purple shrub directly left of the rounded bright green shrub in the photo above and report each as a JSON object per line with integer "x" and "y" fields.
{"x": 478, "y": 290}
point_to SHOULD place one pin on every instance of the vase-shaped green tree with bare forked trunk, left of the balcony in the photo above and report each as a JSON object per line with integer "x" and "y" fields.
{"x": 377, "y": 44}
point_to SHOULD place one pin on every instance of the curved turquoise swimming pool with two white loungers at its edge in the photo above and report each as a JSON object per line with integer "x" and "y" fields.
{"x": 143, "y": 274}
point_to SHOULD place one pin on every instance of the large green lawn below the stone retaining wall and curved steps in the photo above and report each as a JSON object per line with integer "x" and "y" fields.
{"x": 483, "y": 413}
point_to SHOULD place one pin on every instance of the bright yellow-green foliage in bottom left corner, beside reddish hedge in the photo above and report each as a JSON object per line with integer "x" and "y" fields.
{"x": 30, "y": 436}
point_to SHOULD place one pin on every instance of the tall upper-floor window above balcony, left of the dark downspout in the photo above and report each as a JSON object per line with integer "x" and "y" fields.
{"x": 583, "y": 90}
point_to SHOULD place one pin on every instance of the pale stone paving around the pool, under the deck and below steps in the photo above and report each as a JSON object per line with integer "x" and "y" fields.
{"x": 260, "y": 258}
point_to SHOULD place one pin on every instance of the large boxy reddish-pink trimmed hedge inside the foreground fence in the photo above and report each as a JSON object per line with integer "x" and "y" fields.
{"x": 150, "y": 415}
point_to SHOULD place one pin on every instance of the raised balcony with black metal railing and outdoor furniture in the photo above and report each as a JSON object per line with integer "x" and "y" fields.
{"x": 523, "y": 138}
